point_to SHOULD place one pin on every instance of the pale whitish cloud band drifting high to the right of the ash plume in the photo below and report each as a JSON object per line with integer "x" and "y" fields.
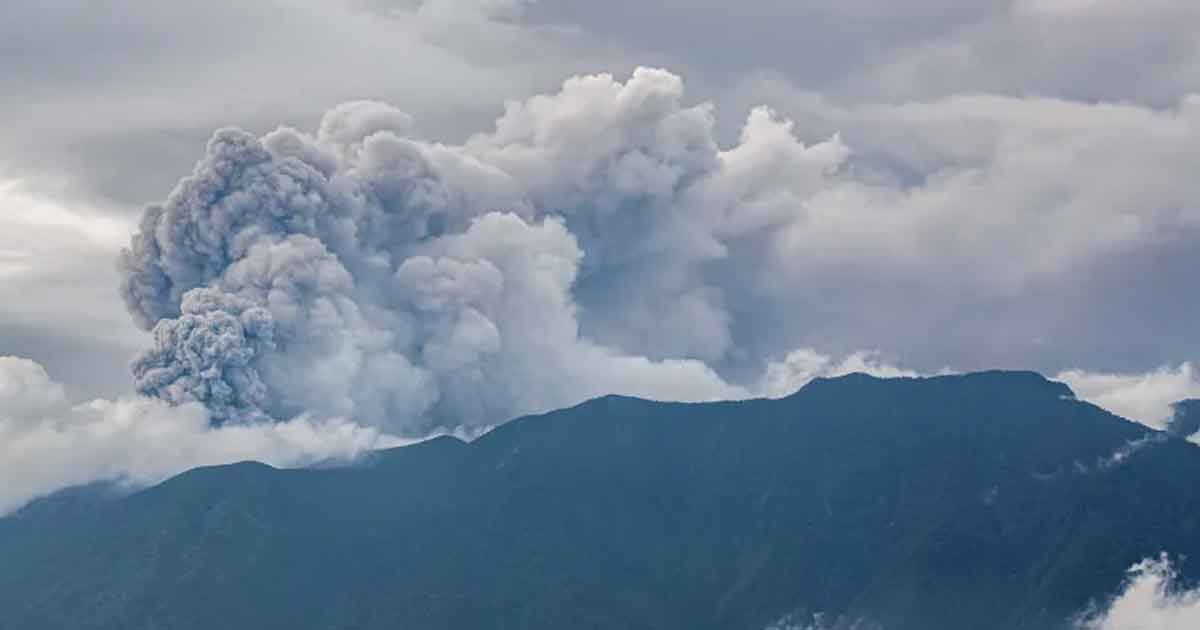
{"x": 1001, "y": 187}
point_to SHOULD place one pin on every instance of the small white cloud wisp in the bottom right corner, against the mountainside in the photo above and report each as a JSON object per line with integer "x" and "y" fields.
{"x": 1151, "y": 601}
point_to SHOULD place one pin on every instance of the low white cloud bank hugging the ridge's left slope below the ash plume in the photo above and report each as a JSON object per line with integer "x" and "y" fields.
{"x": 49, "y": 443}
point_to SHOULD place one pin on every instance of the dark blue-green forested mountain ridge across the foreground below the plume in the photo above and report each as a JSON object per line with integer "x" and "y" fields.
{"x": 989, "y": 501}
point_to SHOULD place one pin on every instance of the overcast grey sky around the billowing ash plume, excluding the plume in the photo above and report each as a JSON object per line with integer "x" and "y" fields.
{"x": 1023, "y": 171}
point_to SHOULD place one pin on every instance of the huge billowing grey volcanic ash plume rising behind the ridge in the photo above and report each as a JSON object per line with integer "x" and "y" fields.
{"x": 584, "y": 247}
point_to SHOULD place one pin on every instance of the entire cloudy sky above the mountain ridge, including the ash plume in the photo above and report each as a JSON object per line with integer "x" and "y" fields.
{"x": 439, "y": 215}
